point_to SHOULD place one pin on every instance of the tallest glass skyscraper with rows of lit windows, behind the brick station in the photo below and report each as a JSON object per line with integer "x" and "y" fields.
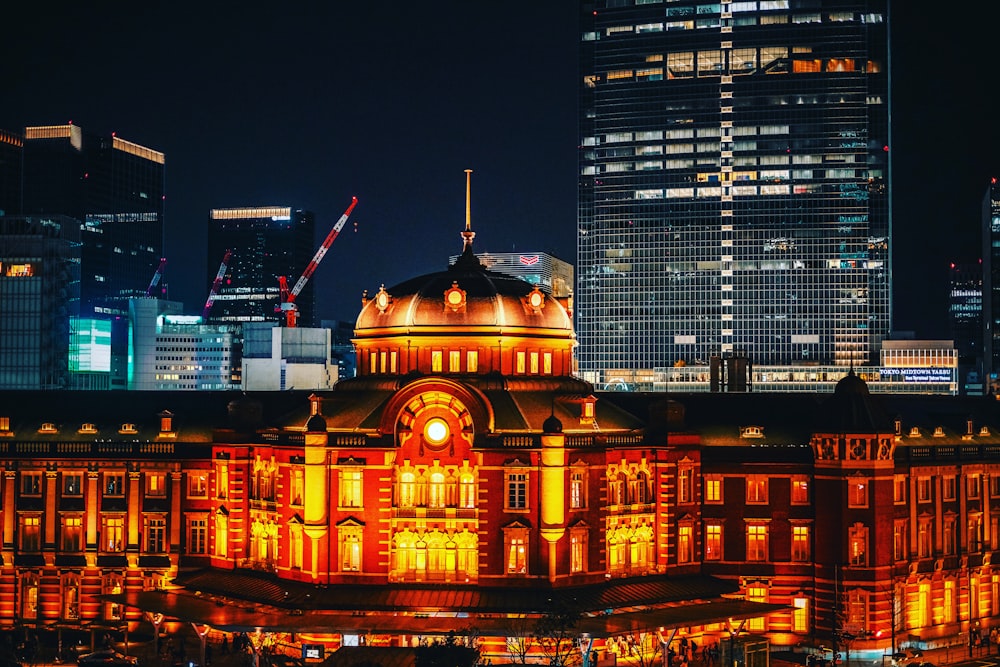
{"x": 734, "y": 180}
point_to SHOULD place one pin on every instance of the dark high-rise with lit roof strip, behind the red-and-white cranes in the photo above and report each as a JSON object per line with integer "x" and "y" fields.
{"x": 264, "y": 243}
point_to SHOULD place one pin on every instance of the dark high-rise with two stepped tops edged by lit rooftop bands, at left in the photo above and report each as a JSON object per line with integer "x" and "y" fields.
{"x": 115, "y": 188}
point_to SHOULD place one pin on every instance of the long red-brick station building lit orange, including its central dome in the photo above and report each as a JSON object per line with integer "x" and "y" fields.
{"x": 464, "y": 477}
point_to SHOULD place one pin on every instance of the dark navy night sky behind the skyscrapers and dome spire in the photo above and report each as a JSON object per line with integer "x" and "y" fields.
{"x": 302, "y": 105}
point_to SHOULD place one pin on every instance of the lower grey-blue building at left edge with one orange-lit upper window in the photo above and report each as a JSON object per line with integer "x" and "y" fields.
{"x": 39, "y": 279}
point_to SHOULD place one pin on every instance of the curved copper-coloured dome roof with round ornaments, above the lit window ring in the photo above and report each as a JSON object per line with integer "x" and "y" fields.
{"x": 464, "y": 295}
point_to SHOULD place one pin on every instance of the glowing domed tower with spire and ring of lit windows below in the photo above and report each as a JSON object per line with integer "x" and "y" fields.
{"x": 464, "y": 321}
